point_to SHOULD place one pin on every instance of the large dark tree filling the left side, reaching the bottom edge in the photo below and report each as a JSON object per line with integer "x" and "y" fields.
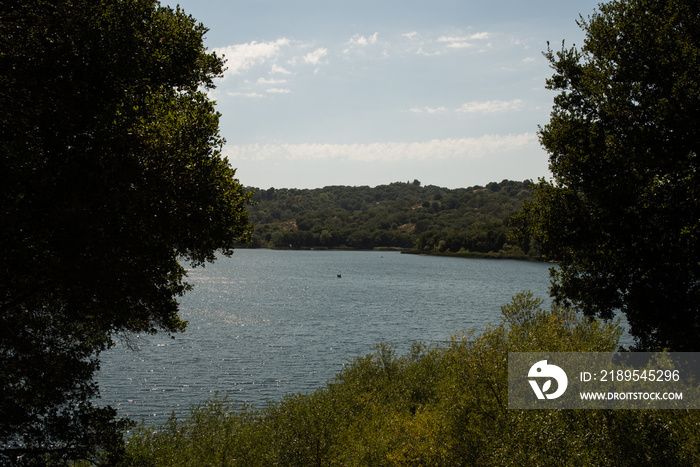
{"x": 111, "y": 181}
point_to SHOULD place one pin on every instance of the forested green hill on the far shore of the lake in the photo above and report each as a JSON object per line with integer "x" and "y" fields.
{"x": 403, "y": 215}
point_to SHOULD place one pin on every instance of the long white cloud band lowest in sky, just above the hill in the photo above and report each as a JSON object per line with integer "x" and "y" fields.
{"x": 386, "y": 152}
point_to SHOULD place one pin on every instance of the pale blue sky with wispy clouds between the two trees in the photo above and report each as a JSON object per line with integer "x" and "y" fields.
{"x": 447, "y": 92}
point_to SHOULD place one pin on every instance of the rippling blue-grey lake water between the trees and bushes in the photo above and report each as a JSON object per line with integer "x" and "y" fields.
{"x": 266, "y": 323}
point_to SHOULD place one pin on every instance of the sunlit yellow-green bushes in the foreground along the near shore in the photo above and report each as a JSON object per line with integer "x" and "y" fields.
{"x": 434, "y": 406}
